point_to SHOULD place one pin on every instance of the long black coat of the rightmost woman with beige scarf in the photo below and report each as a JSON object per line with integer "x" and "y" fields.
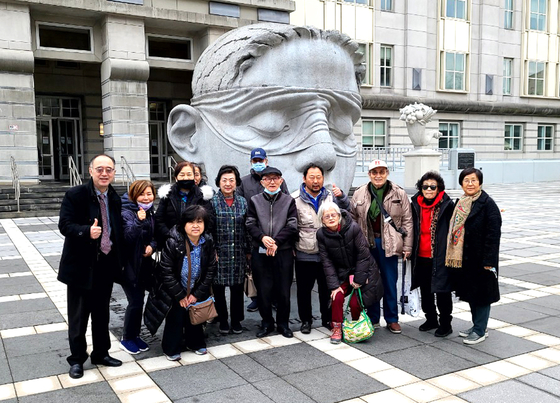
{"x": 481, "y": 248}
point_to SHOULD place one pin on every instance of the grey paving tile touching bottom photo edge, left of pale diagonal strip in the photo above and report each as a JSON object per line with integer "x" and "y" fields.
{"x": 348, "y": 383}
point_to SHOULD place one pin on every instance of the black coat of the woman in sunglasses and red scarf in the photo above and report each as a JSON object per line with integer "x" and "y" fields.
{"x": 441, "y": 281}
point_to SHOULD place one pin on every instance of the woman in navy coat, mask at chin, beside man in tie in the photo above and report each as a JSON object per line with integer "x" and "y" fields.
{"x": 139, "y": 242}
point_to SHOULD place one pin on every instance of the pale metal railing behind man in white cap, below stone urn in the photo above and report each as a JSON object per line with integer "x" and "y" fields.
{"x": 393, "y": 156}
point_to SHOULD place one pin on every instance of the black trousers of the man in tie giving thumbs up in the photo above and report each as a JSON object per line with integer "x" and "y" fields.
{"x": 95, "y": 303}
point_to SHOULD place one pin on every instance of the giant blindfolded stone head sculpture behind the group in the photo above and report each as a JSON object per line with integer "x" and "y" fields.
{"x": 293, "y": 91}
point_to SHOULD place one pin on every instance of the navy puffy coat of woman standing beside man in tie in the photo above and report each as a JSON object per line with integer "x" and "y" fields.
{"x": 137, "y": 235}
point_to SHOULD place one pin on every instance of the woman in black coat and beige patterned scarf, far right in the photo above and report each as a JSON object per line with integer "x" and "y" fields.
{"x": 473, "y": 252}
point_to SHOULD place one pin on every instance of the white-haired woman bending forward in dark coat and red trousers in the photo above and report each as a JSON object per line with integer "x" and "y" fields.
{"x": 347, "y": 263}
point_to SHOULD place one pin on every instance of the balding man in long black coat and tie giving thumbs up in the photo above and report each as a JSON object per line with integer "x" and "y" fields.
{"x": 90, "y": 220}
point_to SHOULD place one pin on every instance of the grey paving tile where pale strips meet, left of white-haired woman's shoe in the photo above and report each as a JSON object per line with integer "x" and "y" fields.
{"x": 292, "y": 359}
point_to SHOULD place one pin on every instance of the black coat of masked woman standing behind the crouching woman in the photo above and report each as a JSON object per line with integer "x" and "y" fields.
{"x": 171, "y": 207}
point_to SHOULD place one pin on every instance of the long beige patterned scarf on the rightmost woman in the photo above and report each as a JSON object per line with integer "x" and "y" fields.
{"x": 456, "y": 236}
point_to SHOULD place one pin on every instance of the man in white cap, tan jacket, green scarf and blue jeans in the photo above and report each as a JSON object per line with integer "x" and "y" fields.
{"x": 389, "y": 235}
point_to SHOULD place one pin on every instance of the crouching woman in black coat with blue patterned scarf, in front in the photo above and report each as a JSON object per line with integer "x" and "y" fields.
{"x": 172, "y": 298}
